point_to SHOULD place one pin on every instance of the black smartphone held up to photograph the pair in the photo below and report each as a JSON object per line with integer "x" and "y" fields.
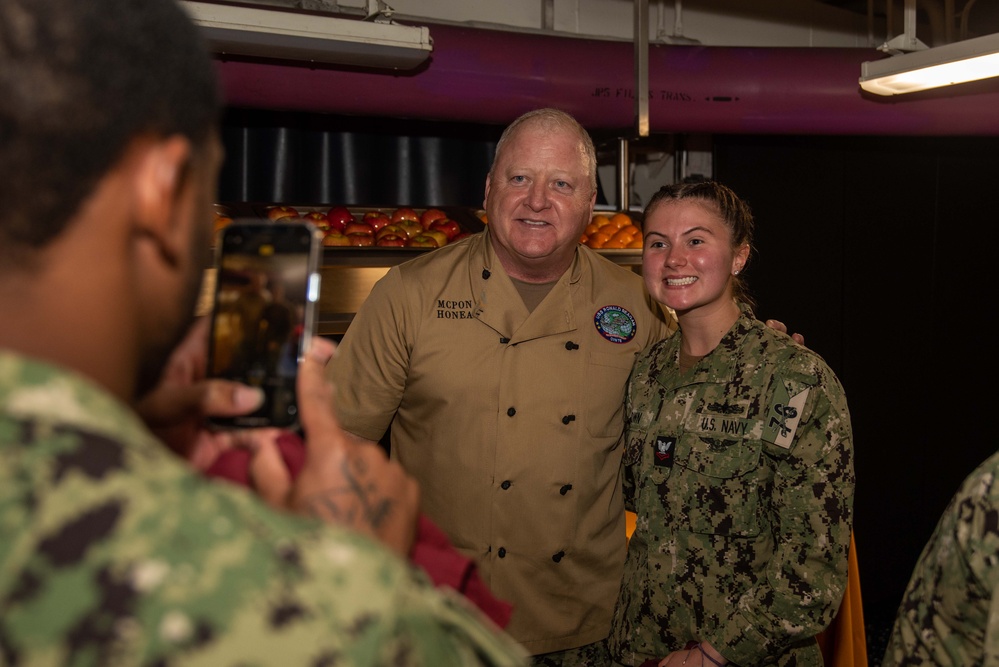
{"x": 264, "y": 313}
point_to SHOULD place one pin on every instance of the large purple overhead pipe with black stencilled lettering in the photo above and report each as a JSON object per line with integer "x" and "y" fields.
{"x": 491, "y": 76}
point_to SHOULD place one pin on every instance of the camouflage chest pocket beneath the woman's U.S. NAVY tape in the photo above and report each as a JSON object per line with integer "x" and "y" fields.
{"x": 718, "y": 483}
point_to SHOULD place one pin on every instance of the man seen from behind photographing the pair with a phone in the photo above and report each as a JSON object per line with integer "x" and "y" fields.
{"x": 113, "y": 549}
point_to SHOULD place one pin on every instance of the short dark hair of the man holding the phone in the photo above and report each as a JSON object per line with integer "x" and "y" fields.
{"x": 79, "y": 80}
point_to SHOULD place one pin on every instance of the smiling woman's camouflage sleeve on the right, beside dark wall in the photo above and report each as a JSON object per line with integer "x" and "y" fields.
{"x": 809, "y": 510}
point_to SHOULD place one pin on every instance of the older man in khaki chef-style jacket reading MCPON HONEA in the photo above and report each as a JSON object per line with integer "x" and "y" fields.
{"x": 500, "y": 363}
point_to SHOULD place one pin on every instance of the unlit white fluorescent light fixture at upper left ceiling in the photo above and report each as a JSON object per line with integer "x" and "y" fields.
{"x": 271, "y": 33}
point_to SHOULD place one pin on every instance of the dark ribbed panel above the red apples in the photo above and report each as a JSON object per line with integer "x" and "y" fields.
{"x": 304, "y": 158}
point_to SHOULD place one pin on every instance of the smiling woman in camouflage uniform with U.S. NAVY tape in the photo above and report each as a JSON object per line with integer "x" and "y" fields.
{"x": 738, "y": 461}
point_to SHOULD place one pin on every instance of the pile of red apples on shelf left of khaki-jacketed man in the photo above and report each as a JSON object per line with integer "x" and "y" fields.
{"x": 397, "y": 227}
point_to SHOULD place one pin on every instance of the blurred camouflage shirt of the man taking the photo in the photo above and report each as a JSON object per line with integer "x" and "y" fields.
{"x": 112, "y": 552}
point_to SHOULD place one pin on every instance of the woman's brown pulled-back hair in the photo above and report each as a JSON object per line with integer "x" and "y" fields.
{"x": 733, "y": 211}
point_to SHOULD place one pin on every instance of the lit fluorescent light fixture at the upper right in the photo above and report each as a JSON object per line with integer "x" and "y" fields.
{"x": 960, "y": 62}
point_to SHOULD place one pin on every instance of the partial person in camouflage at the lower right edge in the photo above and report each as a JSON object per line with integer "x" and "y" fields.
{"x": 949, "y": 615}
